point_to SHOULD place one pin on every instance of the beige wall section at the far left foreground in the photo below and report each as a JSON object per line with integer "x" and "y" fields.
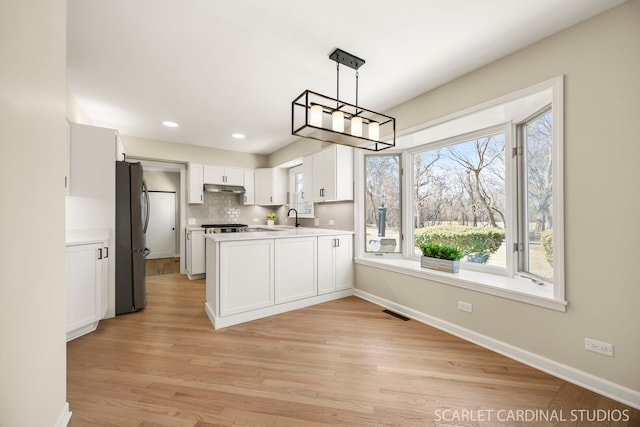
{"x": 32, "y": 253}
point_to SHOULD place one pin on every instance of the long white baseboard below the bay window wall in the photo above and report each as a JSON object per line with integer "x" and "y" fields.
{"x": 575, "y": 376}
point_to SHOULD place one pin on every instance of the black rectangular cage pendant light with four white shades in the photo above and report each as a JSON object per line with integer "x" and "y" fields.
{"x": 331, "y": 120}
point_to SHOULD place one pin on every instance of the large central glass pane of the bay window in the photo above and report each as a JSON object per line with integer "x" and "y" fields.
{"x": 459, "y": 197}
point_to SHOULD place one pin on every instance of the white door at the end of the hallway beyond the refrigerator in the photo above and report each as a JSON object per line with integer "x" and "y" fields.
{"x": 161, "y": 232}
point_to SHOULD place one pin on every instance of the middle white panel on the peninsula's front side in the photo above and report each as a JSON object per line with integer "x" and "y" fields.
{"x": 295, "y": 269}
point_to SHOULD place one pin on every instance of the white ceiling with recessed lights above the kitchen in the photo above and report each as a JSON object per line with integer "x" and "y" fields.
{"x": 220, "y": 66}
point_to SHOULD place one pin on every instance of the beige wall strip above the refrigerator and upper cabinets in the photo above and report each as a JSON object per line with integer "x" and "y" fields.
{"x": 182, "y": 153}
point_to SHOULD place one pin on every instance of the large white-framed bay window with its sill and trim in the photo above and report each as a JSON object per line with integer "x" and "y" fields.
{"x": 487, "y": 180}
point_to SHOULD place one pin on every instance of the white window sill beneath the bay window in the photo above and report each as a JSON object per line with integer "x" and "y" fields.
{"x": 513, "y": 288}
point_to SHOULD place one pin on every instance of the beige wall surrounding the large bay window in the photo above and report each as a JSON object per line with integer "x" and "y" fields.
{"x": 600, "y": 60}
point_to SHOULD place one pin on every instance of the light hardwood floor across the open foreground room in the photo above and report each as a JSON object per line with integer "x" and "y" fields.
{"x": 344, "y": 362}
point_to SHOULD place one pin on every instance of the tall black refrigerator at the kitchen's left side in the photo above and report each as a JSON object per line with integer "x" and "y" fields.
{"x": 132, "y": 219}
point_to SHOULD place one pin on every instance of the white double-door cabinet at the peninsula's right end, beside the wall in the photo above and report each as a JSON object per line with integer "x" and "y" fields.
{"x": 335, "y": 263}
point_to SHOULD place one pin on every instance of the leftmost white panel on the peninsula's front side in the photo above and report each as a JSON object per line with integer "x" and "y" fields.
{"x": 246, "y": 276}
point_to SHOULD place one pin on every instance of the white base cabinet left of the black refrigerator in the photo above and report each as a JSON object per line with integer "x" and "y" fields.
{"x": 87, "y": 278}
